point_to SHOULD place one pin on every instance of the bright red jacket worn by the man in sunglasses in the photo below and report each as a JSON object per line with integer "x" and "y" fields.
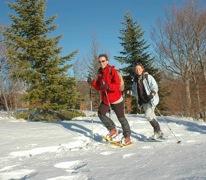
{"x": 109, "y": 76}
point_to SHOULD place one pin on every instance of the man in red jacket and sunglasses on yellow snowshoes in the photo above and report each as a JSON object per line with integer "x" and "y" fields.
{"x": 108, "y": 84}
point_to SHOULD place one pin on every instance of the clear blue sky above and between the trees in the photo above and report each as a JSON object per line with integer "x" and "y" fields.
{"x": 81, "y": 20}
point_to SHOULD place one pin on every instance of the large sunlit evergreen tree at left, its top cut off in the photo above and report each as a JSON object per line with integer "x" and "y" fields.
{"x": 35, "y": 59}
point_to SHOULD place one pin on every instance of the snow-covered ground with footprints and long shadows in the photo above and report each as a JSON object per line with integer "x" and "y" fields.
{"x": 73, "y": 150}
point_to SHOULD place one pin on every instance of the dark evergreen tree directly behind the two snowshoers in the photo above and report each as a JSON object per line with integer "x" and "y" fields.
{"x": 134, "y": 51}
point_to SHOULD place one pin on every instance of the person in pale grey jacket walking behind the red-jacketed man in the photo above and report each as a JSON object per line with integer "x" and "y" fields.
{"x": 145, "y": 89}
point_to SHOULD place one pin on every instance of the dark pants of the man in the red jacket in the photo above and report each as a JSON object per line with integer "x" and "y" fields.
{"x": 119, "y": 111}
